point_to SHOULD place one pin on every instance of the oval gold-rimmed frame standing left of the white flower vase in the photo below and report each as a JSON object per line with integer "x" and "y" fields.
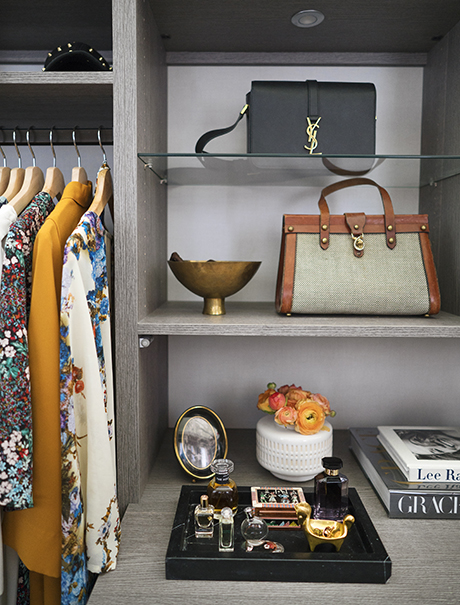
{"x": 199, "y": 438}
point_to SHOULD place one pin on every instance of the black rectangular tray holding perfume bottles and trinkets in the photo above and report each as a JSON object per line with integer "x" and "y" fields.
{"x": 362, "y": 558}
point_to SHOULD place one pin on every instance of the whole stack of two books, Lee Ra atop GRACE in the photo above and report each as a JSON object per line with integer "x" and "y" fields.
{"x": 414, "y": 470}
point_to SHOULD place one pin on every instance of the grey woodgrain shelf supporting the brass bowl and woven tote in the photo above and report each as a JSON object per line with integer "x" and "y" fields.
{"x": 260, "y": 319}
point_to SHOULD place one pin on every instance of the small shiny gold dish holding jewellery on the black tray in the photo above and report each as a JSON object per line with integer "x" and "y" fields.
{"x": 322, "y": 531}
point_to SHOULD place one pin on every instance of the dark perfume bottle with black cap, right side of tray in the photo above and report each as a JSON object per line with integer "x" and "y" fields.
{"x": 331, "y": 491}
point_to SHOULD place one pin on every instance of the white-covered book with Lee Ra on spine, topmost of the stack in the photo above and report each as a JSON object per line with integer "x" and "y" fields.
{"x": 424, "y": 453}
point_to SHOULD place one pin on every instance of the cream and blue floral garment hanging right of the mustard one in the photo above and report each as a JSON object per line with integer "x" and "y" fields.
{"x": 90, "y": 515}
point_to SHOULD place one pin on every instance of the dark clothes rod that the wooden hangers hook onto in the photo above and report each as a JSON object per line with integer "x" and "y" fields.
{"x": 61, "y": 136}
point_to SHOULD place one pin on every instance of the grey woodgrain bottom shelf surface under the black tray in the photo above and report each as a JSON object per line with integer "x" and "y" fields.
{"x": 424, "y": 553}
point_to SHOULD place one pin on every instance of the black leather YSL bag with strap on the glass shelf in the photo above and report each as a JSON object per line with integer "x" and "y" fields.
{"x": 307, "y": 118}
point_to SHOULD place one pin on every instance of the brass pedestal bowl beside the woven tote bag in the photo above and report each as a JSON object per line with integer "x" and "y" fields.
{"x": 214, "y": 280}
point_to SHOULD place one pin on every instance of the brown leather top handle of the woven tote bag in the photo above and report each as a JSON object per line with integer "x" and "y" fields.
{"x": 390, "y": 226}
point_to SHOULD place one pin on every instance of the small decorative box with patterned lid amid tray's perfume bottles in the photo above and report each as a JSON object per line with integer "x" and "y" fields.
{"x": 276, "y": 505}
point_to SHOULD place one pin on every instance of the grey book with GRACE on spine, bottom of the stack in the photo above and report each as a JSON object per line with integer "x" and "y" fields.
{"x": 400, "y": 497}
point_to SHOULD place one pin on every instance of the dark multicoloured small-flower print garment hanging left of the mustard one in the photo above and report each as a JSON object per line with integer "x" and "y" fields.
{"x": 15, "y": 406}
